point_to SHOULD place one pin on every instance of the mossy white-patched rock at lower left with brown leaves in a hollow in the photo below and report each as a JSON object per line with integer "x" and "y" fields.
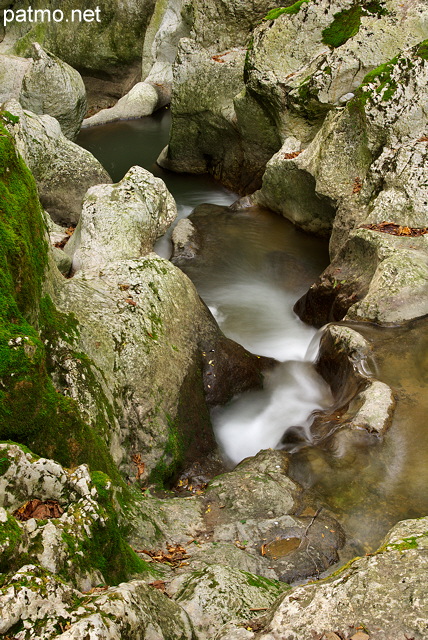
{"x": 84, "y": 545}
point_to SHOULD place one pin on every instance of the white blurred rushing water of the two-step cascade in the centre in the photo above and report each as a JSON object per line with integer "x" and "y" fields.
{"x": 259, "y": 316}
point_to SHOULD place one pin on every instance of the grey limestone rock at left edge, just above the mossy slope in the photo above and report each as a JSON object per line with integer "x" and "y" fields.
{"x": 63, "y": 171}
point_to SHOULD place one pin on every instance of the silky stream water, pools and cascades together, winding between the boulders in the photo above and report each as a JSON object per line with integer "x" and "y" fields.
{"x": 252, "y": 268}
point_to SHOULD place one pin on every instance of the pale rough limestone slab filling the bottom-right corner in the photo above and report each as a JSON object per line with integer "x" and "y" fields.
{"x": 383, "y": 593}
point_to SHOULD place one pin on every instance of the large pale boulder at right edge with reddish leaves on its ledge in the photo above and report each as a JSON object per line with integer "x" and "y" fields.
{"x": 378, "y": 244}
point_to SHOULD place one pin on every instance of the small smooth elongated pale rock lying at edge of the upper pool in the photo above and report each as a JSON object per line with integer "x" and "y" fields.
{"x": 141, "y": 101}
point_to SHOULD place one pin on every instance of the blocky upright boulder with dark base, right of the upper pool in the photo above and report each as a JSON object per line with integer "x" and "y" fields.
{"x": 206, "y": 134}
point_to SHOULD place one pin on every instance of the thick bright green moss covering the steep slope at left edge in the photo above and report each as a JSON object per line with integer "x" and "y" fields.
{"x": 32, "y": 410}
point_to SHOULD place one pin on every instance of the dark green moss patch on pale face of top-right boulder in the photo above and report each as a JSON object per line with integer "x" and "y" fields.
{"x": 346, "y": 24}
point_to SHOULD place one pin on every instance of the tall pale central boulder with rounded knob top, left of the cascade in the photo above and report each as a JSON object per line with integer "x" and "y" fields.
{"x": 136, "y": 312}
